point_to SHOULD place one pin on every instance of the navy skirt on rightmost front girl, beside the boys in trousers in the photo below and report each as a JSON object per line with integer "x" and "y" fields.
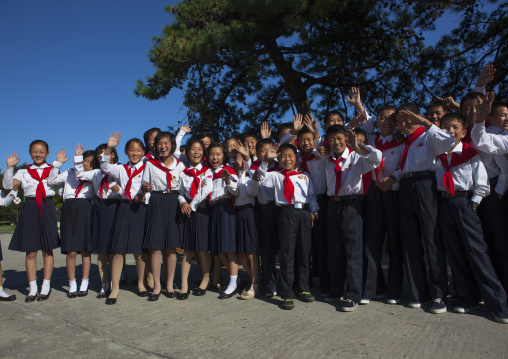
{"x": 246, "y": 232}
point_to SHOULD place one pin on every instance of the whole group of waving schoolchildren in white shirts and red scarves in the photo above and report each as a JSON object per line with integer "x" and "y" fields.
{"x": 434, "y": 186}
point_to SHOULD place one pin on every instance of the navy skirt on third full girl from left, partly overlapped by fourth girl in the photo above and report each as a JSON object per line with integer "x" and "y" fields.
{"x": 103, "y": 217}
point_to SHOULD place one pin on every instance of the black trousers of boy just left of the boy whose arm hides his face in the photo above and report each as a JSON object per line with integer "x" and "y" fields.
{"x": 382, "y": 217}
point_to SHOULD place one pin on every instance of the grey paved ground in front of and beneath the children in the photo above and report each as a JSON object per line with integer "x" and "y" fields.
{"x": 205, "y": 327}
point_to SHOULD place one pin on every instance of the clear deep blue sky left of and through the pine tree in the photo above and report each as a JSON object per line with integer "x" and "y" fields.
{"x": 68, "y": 70}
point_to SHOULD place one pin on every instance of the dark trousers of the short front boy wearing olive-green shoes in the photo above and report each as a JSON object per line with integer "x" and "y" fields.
{"x": 294, "y": 240}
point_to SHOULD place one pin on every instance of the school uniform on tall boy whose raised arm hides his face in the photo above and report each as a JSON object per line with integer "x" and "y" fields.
{"x": 418, "y": 214}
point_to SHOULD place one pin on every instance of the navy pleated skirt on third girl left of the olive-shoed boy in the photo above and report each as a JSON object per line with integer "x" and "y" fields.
{"x": 195, "y": 229}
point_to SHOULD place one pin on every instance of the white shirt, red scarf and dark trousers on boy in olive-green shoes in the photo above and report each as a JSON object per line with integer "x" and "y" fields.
{"x": 295, "y": 197}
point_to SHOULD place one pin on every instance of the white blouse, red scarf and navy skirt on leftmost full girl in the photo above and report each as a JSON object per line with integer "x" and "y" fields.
{"x": 37, "y": 225}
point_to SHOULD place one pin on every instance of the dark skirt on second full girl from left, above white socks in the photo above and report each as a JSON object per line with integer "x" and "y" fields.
{"x": 75, "y": 225}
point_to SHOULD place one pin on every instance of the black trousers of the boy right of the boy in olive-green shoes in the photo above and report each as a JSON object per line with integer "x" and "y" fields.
{"x": 345, "y": 249}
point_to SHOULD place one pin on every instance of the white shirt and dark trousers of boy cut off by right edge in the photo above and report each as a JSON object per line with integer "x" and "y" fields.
{"x": 493, "y": 210}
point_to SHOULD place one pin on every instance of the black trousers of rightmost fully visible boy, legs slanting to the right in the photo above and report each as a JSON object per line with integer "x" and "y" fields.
{"x": 473, "y": 274}
